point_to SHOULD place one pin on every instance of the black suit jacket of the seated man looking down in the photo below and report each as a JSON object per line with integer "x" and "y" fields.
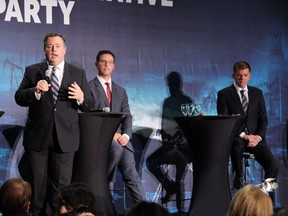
{"x": 228, "y": 103}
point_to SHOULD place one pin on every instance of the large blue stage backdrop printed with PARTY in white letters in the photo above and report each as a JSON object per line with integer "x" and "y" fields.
{"x": 199, "y": 39}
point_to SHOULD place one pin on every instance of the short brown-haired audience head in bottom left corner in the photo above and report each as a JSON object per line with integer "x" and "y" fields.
{"x": 15, "y": 195}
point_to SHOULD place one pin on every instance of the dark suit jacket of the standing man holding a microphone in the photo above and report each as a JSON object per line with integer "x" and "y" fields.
{"x": 43, "y": 114}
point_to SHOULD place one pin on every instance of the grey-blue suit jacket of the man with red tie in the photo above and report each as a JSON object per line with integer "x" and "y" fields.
{"x": 119, "y": 104}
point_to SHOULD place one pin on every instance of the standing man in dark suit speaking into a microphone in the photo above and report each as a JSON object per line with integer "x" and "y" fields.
{"x": 51, "y": 134}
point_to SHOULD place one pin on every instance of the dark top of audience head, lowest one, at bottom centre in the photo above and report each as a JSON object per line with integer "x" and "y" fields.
{"x": 145, "y": 208}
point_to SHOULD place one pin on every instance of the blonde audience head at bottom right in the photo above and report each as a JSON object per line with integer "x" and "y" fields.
{"x": 250, "y": 200}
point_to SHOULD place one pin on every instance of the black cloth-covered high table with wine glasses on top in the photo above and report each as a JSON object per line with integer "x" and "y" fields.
{"x": 210, "y": 139}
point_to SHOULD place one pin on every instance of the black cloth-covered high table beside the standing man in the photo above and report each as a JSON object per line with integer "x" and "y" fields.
{"x": 91, "y": 161}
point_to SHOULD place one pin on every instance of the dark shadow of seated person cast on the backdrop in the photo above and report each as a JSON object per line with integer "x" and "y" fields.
{"x": 174, "y": 149}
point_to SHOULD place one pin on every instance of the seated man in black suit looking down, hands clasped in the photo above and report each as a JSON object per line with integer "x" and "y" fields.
{"x": 251, "y": 136}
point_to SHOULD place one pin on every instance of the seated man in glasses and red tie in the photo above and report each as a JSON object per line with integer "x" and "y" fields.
{"x": 121, "y": 153}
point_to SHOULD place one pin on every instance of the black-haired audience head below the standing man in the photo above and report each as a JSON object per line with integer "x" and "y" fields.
{"x": 76, "y": 199}
